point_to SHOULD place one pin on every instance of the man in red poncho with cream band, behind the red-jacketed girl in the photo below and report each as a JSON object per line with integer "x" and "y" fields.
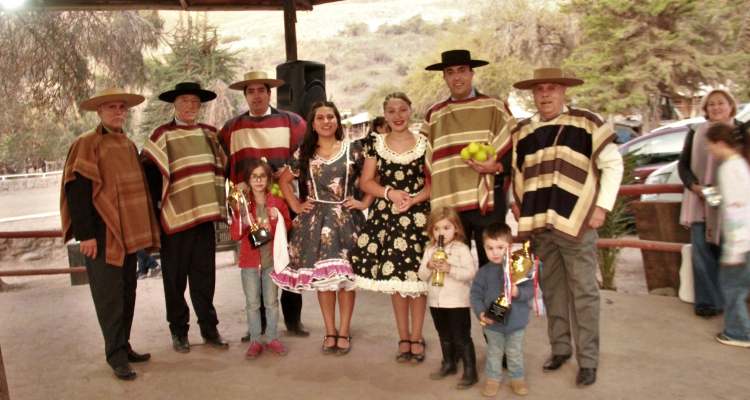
{"x": 264, "y": 132}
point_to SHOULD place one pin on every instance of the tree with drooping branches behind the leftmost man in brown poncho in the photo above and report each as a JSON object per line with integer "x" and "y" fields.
{"x": 53, "y": 60}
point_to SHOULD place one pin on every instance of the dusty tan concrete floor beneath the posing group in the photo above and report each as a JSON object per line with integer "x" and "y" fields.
{"x": 651, "y": 347}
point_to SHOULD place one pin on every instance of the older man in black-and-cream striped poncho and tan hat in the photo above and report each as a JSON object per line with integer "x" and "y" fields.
{"x": 566, "y": 174}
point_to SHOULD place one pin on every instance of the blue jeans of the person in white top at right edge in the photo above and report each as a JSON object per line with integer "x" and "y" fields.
{"x": 735, "y": 284}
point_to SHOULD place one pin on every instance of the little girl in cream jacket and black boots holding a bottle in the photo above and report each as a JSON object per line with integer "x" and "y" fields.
{"x": 448, "y": 267}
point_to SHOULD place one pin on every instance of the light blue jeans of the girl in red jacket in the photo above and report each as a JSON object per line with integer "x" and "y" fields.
{"x": 253, "y": 279}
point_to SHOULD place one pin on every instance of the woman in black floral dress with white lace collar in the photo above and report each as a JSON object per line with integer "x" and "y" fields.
{"x": 389, "y": 248}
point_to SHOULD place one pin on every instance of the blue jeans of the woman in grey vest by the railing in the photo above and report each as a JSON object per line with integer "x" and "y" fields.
{"x": 705, "y": 269}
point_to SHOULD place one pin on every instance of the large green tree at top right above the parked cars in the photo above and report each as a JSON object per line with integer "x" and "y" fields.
{"x": 633, "y": 52}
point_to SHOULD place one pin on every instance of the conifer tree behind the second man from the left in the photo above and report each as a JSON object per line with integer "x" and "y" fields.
{"x": 194, "y": 55}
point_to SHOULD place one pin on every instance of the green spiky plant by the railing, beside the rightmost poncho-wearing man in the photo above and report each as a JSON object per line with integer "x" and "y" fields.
{"x": 618, "y": 223}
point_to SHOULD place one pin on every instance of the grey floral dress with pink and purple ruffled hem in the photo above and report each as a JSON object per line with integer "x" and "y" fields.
{"x": 321, "y": 240}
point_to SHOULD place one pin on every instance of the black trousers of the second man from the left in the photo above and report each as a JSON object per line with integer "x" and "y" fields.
{"x": 190, "y": 256}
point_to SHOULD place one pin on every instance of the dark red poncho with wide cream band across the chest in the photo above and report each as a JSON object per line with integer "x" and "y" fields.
{"x": 274, "y": 136}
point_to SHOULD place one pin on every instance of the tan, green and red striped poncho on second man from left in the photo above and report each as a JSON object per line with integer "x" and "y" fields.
{"x": 192, "y": 167}
